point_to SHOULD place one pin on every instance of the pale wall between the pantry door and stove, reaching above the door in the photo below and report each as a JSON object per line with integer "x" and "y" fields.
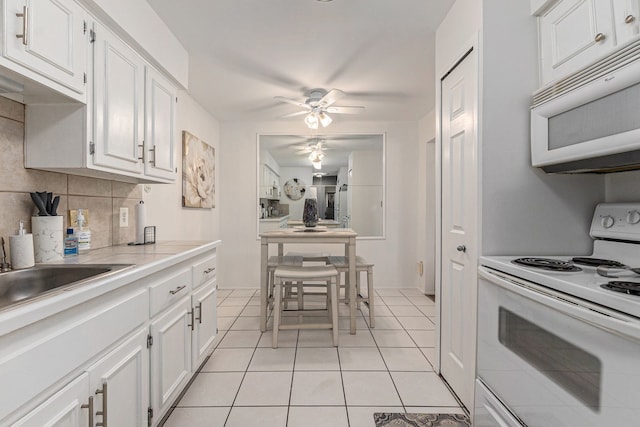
{"x": 524, "y": 210}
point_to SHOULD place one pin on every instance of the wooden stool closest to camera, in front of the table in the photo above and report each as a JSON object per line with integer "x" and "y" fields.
{"x": 284, "y": 274}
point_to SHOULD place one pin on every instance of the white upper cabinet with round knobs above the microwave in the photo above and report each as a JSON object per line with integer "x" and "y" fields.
{"x": 576, "y": 33}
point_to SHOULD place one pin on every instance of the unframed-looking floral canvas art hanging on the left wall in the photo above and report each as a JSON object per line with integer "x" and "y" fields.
{"x": 198, "y": 172}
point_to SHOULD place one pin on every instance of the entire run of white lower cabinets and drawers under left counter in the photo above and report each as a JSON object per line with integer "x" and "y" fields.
{"x": 118, "y": 360}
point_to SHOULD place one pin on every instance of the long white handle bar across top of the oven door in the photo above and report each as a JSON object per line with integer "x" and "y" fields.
{"x": 600, "y": 317}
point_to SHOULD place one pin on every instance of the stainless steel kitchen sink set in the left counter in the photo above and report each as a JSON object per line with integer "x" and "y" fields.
{"x": 23, "y": 285}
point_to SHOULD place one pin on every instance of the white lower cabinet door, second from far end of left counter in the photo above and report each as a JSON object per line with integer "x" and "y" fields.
{"x": 170, "y": 355}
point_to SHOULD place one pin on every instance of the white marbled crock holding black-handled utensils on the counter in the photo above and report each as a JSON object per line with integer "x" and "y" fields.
{"x": 48, "y": 243}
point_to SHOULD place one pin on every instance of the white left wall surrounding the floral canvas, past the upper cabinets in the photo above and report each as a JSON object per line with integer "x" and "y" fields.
{"x": 164, "y": 201}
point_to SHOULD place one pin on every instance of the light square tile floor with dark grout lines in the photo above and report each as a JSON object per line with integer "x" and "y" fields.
{"x": 306, "y": 382}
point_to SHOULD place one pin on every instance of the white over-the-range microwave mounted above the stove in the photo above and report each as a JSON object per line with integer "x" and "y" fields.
{"x": 590, "y": 121}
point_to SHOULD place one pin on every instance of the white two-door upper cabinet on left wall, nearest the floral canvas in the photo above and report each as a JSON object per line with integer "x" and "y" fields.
{"x": 125, "y": 132}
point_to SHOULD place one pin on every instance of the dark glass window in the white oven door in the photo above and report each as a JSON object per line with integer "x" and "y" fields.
{"x": 575, "y": 370}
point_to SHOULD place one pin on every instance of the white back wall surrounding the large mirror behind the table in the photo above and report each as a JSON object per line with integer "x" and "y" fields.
{"x": 395, "y": 257}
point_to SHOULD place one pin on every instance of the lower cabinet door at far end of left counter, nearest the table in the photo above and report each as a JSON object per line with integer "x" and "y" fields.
{"x": 204, "y": 304}
